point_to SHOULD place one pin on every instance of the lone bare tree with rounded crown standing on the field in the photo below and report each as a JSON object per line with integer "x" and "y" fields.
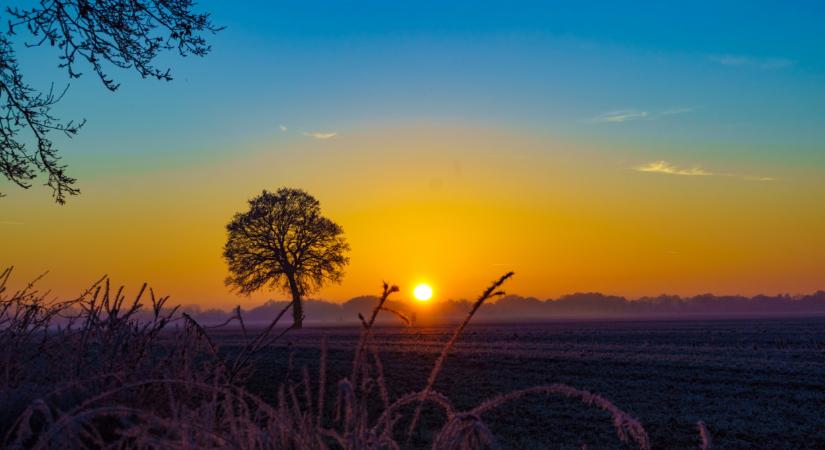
{"x": 284, "y": 242}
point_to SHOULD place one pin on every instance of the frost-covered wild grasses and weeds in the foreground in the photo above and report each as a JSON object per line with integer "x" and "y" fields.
{"x": 100, "y": 371}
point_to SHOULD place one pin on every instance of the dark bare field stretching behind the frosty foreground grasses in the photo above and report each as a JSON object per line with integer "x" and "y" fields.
{"x": 755, "y": 383}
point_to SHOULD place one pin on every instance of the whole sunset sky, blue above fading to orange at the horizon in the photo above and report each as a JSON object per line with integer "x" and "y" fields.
{"x": 633, "y": 149}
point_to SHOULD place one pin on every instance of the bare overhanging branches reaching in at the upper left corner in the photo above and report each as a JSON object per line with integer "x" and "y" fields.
{"x": 125, "y": 34}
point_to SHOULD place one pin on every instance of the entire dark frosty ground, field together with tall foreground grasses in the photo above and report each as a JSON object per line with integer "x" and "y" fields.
{"x": 101, "y": 371}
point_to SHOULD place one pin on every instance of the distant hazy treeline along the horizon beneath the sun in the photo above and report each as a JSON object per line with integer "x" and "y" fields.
{"x": 517, "y": 308}
